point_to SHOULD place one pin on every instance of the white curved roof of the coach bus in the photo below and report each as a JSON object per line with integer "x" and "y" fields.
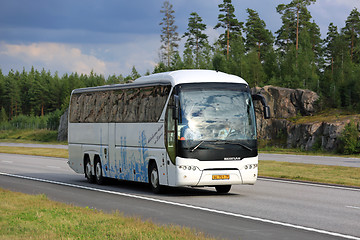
{"x": 171, "y": 78}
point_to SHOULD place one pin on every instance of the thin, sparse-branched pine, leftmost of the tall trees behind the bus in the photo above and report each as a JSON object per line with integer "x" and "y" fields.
{"x": 169, "y": 36}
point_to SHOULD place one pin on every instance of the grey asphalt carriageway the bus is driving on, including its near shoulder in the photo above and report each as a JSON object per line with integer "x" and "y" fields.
{"x": 267, "y": 210}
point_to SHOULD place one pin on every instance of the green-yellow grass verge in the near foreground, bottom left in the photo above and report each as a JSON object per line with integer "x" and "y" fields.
{"x": 36, "y": 217}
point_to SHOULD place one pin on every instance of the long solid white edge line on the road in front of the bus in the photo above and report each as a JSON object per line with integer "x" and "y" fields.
{"x": 188, "y": 206}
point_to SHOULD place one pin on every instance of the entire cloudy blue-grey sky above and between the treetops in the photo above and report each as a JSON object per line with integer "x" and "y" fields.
{"x": 111, "y": 36}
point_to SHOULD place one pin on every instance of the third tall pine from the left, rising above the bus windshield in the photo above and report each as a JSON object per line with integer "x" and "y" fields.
{"x": 231, "y": 25}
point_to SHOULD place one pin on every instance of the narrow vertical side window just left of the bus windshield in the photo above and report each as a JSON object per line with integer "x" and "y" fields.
{"x": 170, "y": 132}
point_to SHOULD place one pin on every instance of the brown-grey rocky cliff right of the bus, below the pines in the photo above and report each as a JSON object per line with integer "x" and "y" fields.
{"x": 286, "y": 106}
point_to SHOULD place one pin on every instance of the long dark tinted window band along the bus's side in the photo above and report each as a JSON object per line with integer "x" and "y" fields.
{"x": 124, "y": 105}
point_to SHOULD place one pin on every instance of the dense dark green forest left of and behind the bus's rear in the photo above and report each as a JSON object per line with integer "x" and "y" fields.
{"x": 36, "y": 93}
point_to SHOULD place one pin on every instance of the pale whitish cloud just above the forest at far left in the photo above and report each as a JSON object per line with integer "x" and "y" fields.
{"x": 52, "y": 56}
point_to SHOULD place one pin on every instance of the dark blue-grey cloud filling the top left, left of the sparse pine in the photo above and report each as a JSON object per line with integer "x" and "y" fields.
{"x": 38, "y": 20}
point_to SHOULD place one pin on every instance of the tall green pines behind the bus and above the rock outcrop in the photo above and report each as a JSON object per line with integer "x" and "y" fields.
{"x": 295, "y": 56}
